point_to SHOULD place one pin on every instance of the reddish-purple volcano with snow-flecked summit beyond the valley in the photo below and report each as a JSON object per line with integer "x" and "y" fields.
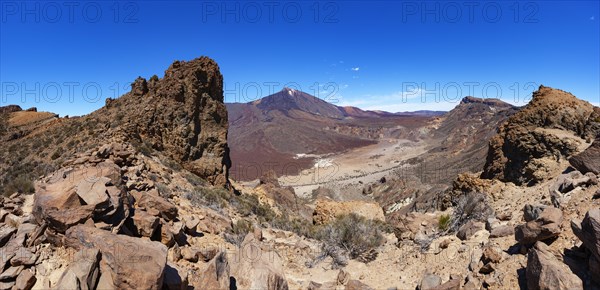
{"x": 270, "y": 132}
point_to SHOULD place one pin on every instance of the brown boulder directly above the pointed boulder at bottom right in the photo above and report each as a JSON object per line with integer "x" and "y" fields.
{"x": 546, "y": 226}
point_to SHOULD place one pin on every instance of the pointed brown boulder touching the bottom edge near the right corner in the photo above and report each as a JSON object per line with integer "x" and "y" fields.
{"x": 545, "y": 271}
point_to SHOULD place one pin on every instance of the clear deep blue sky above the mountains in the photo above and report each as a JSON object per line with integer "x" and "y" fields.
{"x": 67, "y": 57}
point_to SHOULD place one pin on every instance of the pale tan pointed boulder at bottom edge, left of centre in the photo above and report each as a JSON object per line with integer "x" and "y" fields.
{"x": 258, "y": 268}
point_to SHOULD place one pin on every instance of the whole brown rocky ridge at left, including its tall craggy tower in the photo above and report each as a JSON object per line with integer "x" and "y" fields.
{"x": 182, "y": 116}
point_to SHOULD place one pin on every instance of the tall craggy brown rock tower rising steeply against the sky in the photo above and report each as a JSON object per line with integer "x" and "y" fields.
{"x": 182, "y": 115}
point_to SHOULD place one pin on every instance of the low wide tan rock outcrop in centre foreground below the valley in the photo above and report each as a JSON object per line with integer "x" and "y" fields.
{"x": 327, "y": 210}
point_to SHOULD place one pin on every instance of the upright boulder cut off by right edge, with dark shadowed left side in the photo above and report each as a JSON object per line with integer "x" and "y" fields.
{"x": 588, "y": 231}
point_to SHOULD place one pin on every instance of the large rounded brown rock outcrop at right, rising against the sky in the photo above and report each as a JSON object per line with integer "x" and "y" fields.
{"x": 552, "y": 126}
